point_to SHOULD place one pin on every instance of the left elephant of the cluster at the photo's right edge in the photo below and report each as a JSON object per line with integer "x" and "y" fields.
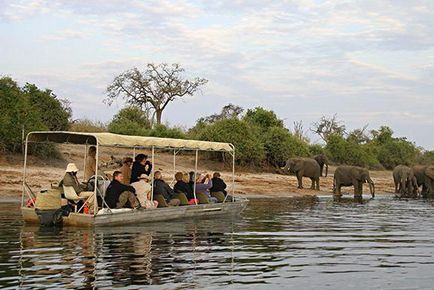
{"x": 405, "y": 181}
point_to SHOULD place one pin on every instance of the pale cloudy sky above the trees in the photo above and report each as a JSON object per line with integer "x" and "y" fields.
{"x": 369, "y": 62}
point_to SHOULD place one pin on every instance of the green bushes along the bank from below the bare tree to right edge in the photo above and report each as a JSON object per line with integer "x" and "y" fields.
{"x": 261, "y": 138}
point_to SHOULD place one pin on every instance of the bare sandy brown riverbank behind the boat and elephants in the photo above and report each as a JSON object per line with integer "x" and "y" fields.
{"x": 42, "y": 173}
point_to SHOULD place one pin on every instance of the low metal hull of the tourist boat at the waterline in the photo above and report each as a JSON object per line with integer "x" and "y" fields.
{"x": 145, "y": 215}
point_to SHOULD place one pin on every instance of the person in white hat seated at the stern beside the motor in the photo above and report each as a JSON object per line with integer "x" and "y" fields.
{"x": 70, "y": 179}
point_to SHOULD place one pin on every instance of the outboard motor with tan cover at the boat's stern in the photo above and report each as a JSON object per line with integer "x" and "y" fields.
{"x": 48, "y": 207}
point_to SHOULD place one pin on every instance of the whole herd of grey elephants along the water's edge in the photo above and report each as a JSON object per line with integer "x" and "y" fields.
{"x": 410, "y": 182}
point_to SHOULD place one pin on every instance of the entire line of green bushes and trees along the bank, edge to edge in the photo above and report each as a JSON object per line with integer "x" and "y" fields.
{"x": 259, "y": 135}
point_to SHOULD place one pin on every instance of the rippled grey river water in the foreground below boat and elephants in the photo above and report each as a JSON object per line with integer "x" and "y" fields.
{"x": 275, "y": 243}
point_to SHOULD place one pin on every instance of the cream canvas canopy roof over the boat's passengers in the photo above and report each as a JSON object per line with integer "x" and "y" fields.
{"x": 115, "y": 140}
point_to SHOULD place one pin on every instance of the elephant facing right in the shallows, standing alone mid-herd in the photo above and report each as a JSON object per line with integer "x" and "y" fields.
{"x": 351, "y": 175}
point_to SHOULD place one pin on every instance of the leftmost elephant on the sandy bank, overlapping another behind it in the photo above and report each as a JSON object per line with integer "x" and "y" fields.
{"x": 304, "y": 167}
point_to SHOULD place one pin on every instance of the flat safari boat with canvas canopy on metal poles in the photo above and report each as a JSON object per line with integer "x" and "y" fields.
{"x": 103, "y": 215}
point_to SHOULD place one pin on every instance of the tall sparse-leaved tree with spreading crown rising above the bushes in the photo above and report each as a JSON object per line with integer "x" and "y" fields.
{"x": 154, "y": 88}
